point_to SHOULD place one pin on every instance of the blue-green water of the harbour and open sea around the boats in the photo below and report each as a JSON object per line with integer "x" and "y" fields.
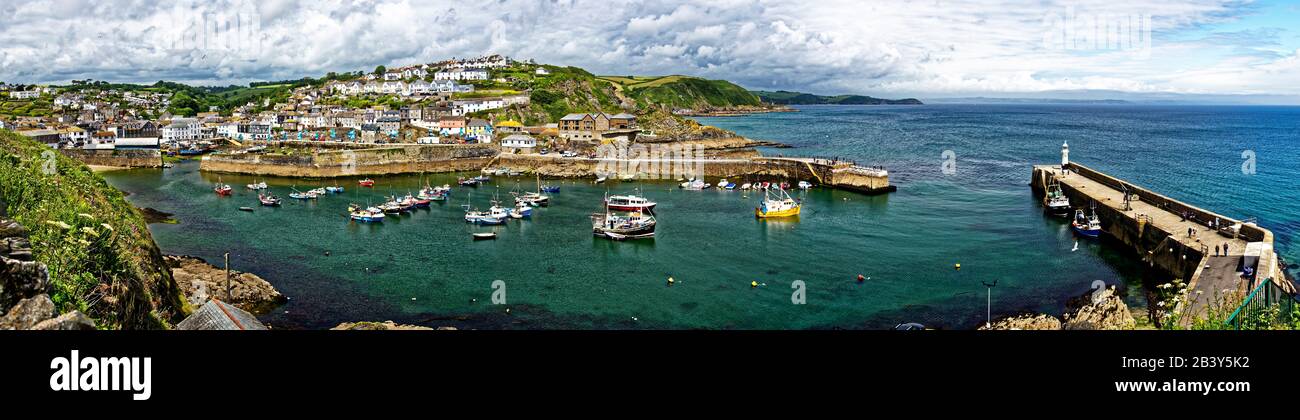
{"x": 426, "y": 270}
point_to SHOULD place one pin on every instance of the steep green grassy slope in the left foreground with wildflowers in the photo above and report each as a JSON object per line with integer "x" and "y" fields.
{"x": 99, "y": 250}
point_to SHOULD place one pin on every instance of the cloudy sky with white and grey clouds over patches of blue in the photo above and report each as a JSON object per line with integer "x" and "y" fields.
{"x": 934, "y": 49}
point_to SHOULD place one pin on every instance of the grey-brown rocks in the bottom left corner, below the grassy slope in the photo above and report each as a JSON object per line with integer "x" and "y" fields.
{"x": 25, "y": 287}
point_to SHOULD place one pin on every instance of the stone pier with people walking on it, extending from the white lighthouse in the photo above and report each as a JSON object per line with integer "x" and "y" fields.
{"x": 1158, "y": 227}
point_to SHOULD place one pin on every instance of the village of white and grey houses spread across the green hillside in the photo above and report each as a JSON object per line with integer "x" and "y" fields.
{"x": 519, "y": 106}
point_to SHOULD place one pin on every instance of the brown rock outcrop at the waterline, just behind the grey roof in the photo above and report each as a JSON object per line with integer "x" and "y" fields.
{"x": 202, "y": 282}
